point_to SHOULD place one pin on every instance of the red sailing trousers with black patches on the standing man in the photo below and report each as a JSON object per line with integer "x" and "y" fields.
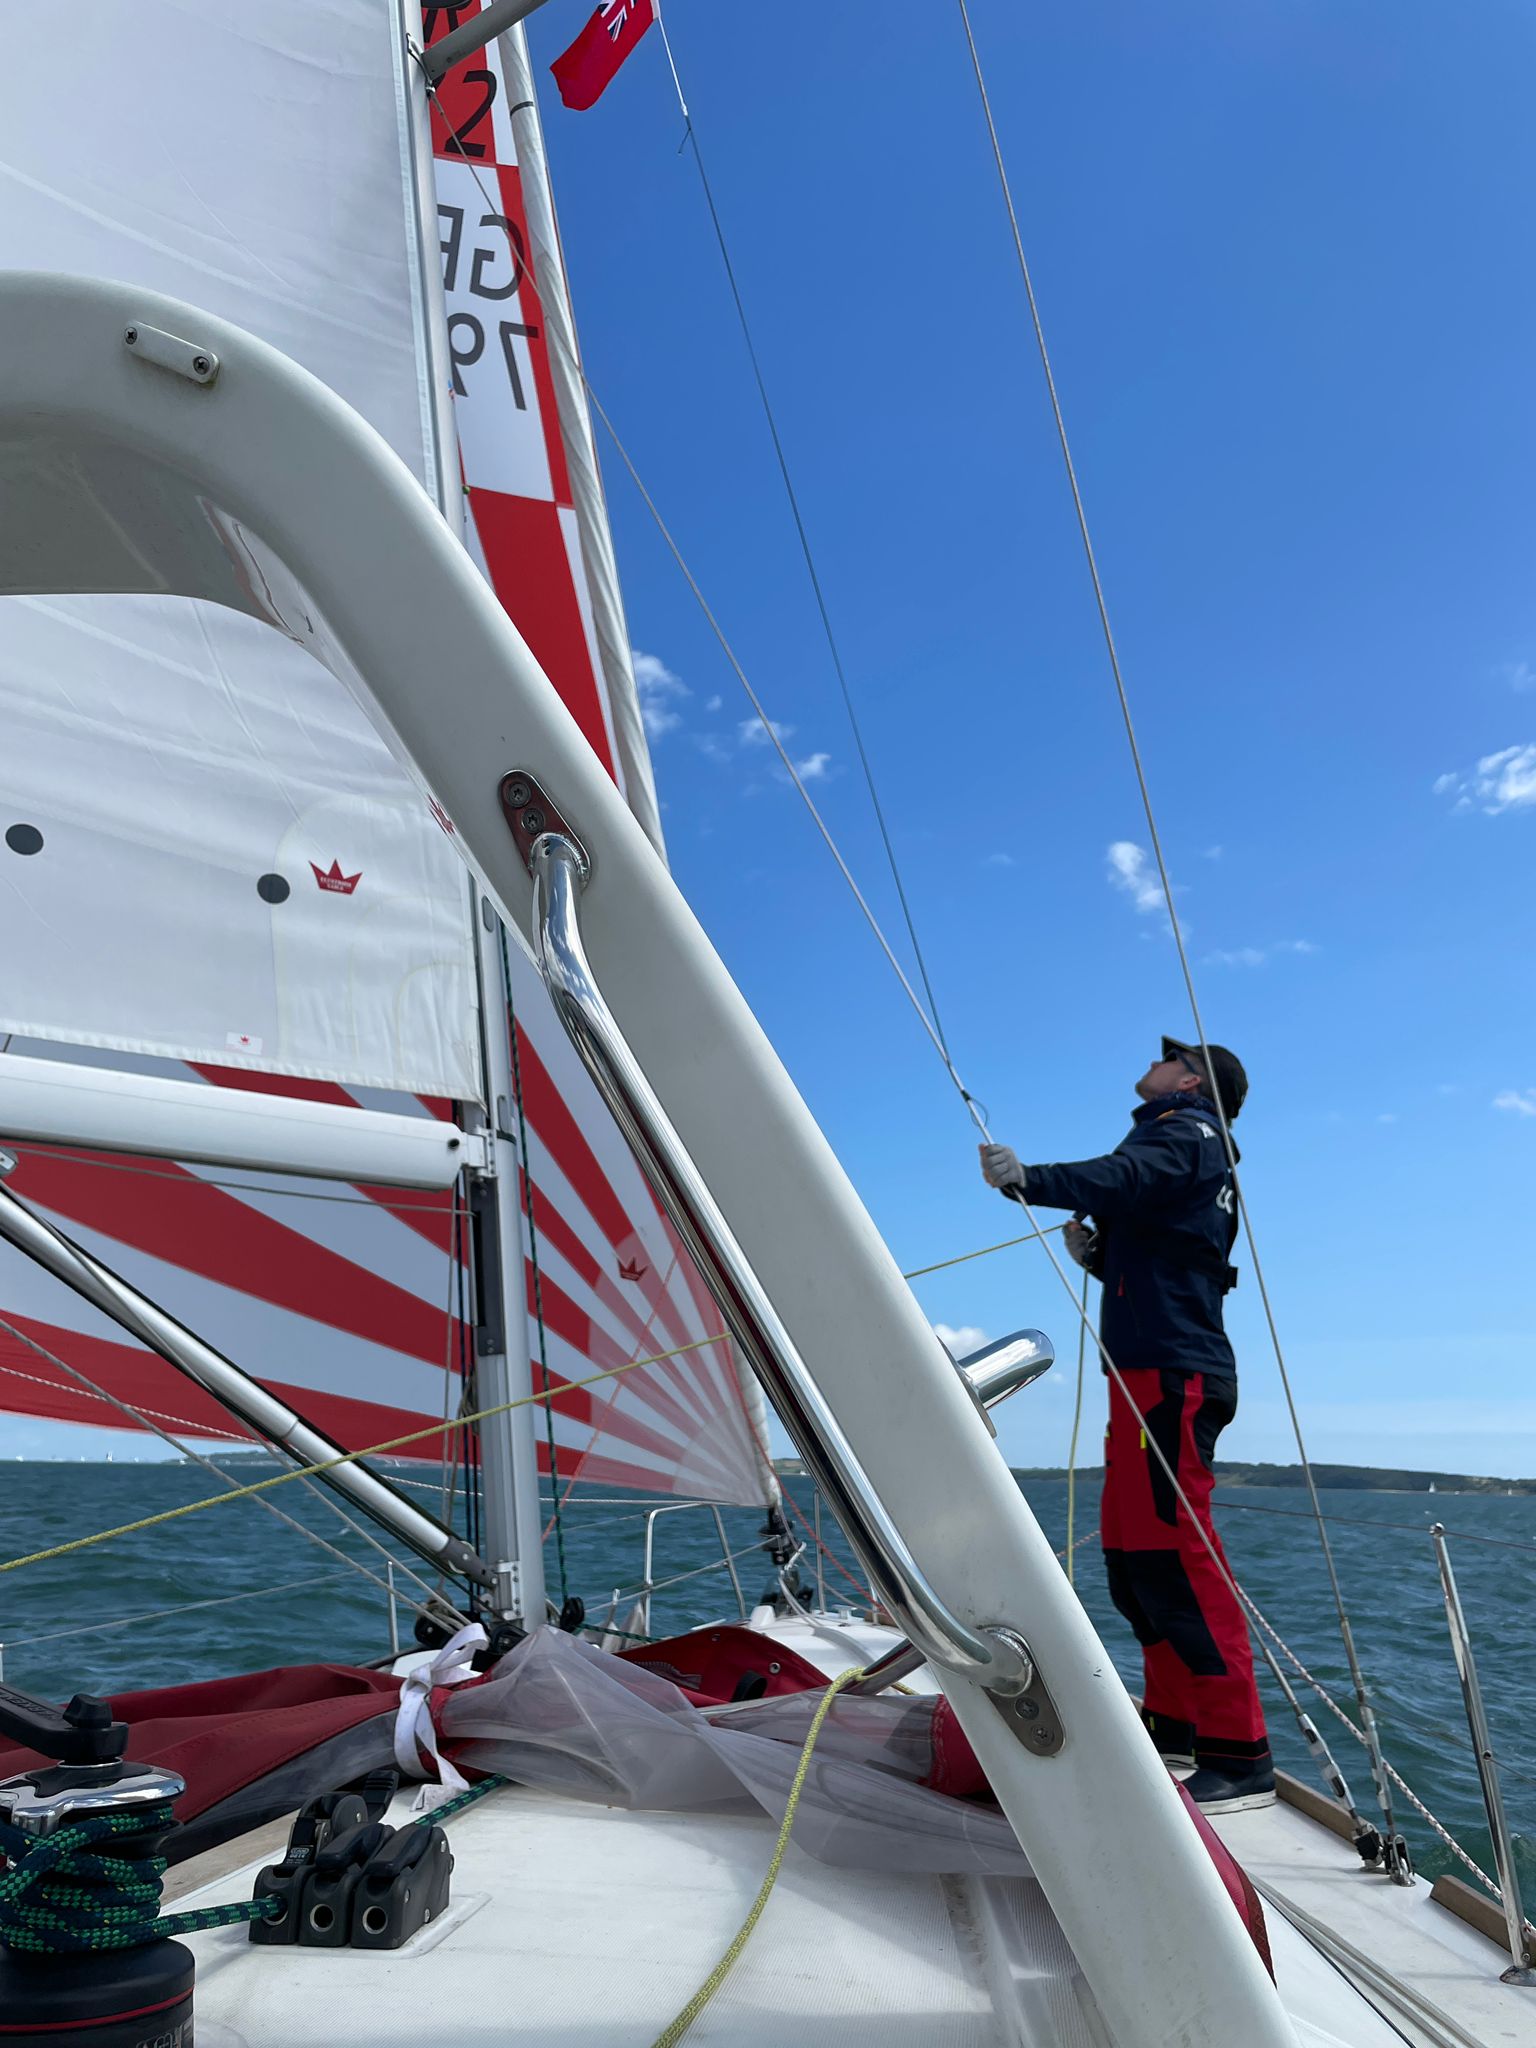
{"x": 1164, "y": 1580}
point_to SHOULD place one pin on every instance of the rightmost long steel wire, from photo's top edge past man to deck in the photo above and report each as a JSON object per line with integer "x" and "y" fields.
{"x": 1357, "y": 1672}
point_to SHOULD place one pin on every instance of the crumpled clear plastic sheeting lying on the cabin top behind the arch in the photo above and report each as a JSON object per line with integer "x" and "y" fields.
{"x": 568, "y": 1717}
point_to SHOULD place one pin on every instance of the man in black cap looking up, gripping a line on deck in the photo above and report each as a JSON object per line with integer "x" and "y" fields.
{"x": 1164, "y": 1213}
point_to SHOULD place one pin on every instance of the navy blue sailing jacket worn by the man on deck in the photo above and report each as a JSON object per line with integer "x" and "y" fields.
{"x": 1166, "y": 1218}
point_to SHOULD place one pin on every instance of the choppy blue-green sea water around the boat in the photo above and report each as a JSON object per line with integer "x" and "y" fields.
{"x": 239, "y": 1590}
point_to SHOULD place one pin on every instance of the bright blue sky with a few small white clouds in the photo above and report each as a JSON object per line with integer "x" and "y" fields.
{"x": 1283, "y": 261}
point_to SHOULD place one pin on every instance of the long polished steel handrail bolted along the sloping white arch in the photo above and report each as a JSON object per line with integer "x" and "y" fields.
{"x": 751, "y": 1318}
